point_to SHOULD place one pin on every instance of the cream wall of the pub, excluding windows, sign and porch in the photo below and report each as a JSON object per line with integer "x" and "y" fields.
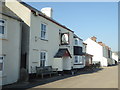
{"x": 35, "y": 44}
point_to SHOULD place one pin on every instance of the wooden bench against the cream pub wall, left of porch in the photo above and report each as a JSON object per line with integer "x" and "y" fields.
{"x": 47, "y": 70}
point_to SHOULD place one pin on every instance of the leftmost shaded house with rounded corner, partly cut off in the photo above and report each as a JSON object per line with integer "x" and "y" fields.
{"x": 10, "y": 41}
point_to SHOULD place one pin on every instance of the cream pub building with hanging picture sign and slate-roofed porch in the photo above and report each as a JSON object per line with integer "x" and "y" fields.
{"x": 43, "y": 39}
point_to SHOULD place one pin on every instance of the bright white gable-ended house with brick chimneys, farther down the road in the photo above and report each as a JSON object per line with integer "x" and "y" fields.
{"x": 101, "y": 53}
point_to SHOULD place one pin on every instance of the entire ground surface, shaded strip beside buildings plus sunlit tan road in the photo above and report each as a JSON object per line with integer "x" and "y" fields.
{"x": 106, "y": 77}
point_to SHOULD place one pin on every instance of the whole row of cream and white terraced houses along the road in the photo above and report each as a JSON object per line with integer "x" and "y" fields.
{"x": 31, "y": 38}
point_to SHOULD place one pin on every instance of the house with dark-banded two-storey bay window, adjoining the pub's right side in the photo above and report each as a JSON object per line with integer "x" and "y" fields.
{"x": 81, "y": 58}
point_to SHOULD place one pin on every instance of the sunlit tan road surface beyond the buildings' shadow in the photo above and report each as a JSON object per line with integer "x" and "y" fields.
{"x": 106, "y": 78}
